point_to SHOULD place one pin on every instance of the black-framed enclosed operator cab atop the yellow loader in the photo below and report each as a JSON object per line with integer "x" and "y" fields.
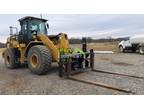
{"x": 31, "y": 26}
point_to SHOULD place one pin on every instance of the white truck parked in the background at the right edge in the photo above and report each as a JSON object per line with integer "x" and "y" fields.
{"x": 135, "y": 43}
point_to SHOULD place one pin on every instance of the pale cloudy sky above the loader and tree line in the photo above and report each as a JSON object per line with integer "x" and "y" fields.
{"x": 81, "y": 25}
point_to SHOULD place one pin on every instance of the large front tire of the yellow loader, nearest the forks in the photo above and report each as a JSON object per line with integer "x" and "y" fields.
{"x": 39, "y": 59}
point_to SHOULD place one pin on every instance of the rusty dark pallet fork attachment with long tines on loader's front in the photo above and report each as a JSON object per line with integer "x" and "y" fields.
{"x": 66, "y": 69}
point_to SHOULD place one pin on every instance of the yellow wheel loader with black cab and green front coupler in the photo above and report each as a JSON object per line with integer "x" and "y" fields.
{"x": 33, "y": 46}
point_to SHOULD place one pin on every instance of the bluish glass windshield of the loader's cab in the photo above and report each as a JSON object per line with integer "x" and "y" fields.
{"x": 38, "y": 26}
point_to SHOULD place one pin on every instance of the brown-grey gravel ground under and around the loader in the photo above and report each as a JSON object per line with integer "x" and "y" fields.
{"x": 21, "y": 81}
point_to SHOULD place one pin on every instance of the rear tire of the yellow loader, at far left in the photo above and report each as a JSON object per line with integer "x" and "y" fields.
{"x": 9, "y": 58}
